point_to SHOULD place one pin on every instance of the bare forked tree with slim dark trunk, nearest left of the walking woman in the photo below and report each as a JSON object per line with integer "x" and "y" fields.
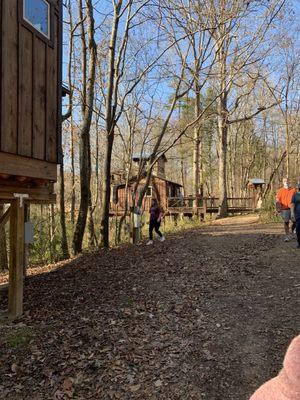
{"x": 123, "y": 76}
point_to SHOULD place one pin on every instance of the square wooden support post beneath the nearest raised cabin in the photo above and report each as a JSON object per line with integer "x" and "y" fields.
{"x": 15, "y": 296}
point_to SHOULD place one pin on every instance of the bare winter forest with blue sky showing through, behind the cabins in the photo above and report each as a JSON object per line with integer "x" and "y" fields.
{"x": 211, "y": 85}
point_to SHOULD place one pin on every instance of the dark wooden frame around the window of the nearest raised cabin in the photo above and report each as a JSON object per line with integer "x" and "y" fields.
{"x": 26, "y": 23}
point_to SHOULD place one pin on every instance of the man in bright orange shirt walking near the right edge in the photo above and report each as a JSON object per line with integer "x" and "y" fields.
{"x": 283, "y": 205}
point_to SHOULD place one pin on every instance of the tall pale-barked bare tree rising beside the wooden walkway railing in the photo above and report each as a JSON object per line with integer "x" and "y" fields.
{"x": 236, "y": 56}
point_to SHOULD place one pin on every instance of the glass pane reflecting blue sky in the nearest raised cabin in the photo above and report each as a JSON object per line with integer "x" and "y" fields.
{"x": 37, "y": 14}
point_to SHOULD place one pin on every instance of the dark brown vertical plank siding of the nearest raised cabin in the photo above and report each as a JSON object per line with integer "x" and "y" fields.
{"x": 30, "y": 83}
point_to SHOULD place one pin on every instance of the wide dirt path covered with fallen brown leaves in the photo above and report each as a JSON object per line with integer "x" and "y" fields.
{"x": 205, "y": 315}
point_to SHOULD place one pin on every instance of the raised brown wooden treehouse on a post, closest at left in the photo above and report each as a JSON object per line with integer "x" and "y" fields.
{"x": 30, "y": 118}
